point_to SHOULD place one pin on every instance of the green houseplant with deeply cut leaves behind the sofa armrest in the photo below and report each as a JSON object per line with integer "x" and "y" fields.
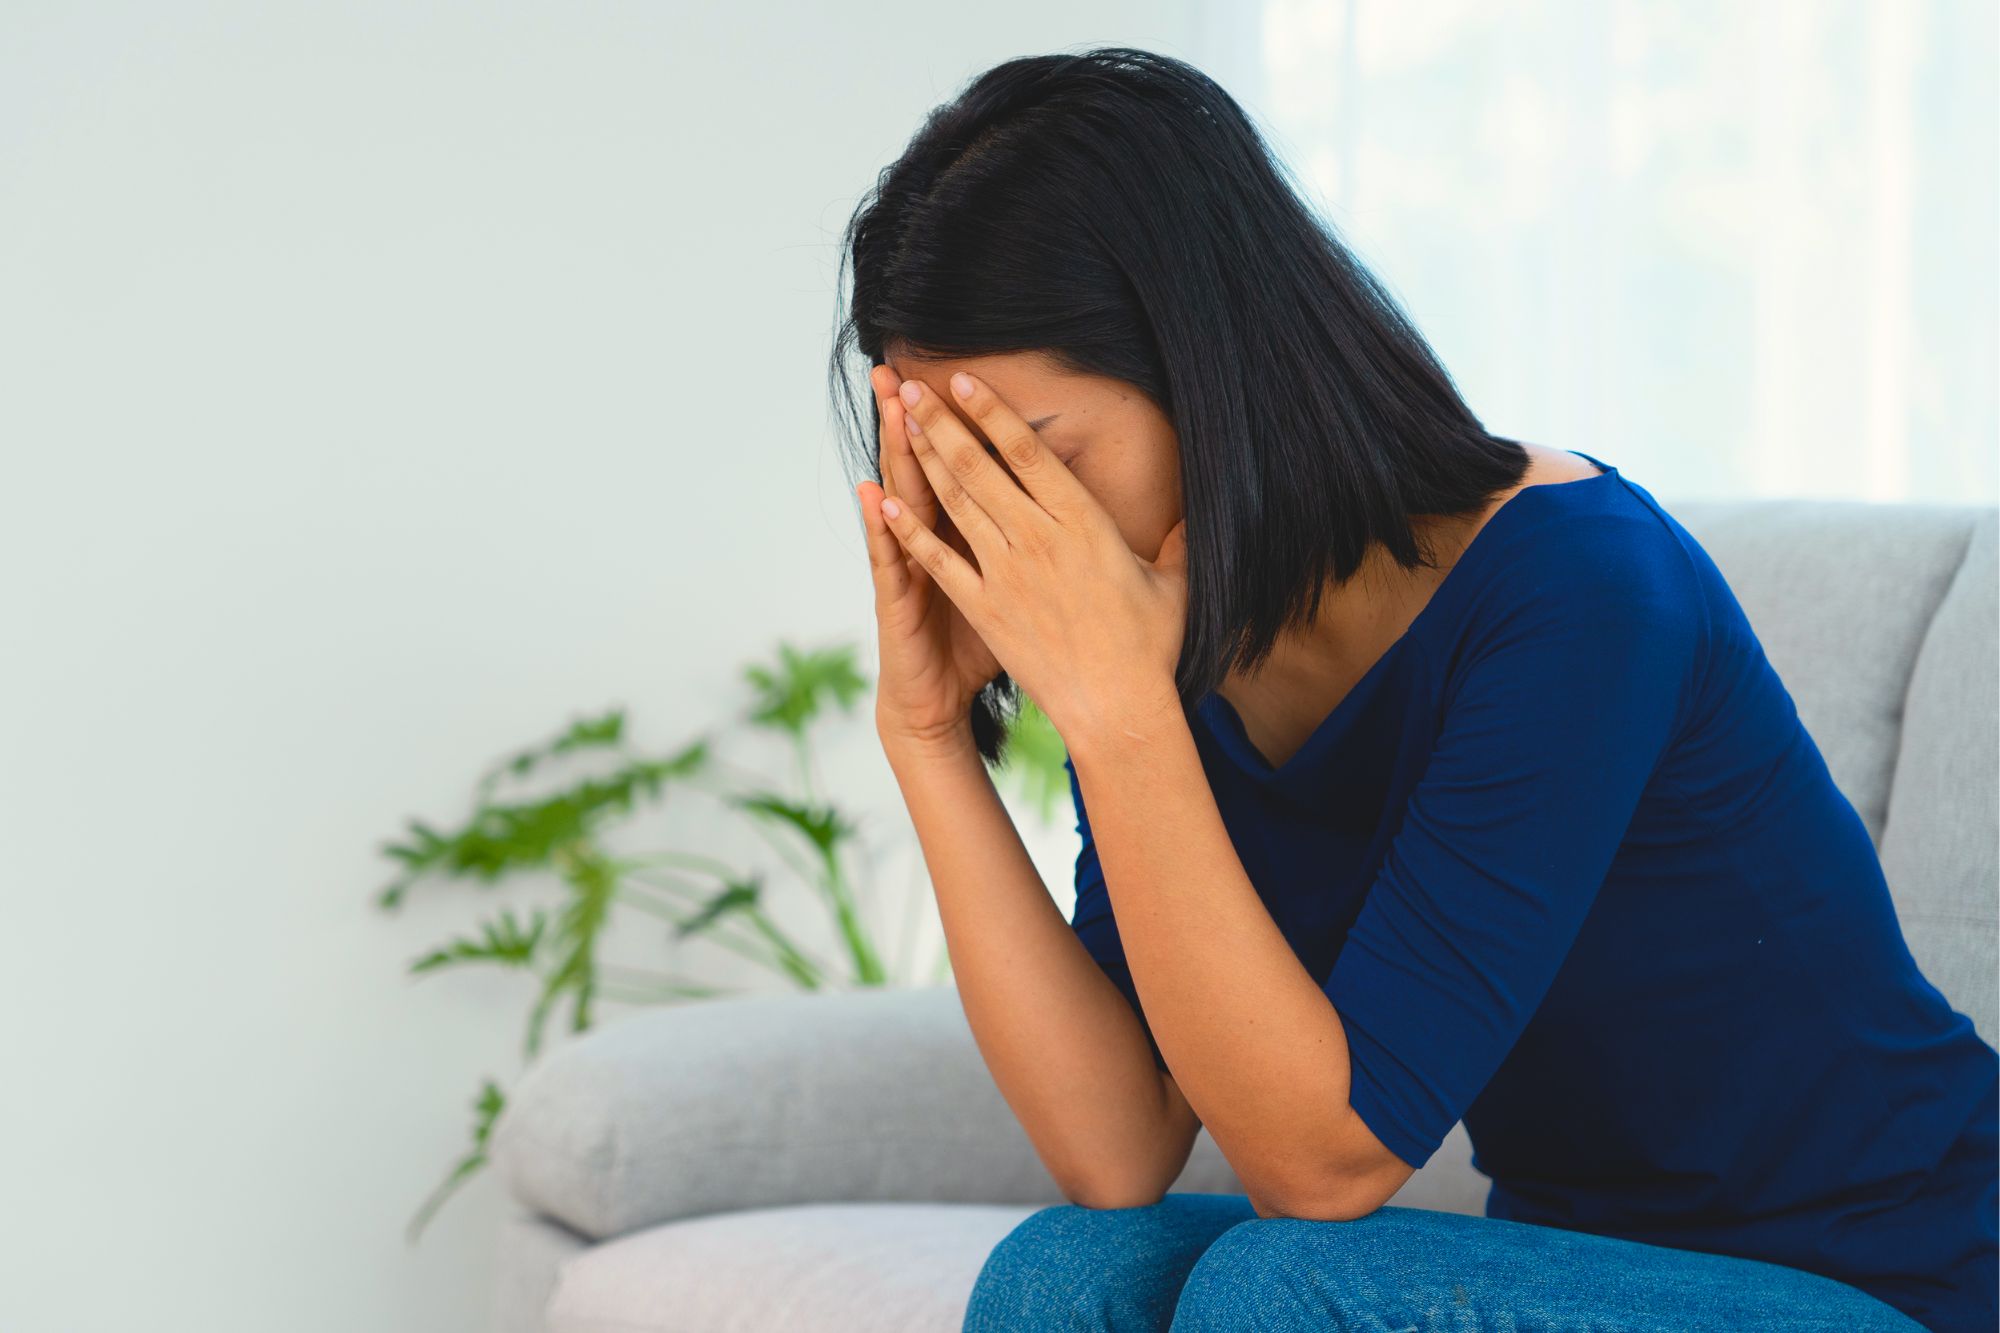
{"x": 595, "y": 784}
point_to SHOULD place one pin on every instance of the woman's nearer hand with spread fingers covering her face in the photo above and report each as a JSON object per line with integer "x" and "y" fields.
{"x": 1085, "y": 625}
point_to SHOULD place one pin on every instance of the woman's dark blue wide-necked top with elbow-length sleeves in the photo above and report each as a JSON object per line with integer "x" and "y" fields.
{"x": 1571, "y": 870}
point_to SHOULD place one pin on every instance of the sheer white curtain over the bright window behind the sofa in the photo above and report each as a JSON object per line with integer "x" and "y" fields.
{"x": 1733, "y": 249}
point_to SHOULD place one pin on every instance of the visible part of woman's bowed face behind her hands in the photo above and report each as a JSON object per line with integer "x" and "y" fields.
{"x": 1111, "y": 435}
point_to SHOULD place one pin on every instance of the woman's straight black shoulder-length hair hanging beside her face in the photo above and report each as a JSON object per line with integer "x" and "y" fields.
{"x": 1119, "y": 213}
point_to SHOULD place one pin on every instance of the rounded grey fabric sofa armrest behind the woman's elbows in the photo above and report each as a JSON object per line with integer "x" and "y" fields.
{"x": 775, "y": 1100}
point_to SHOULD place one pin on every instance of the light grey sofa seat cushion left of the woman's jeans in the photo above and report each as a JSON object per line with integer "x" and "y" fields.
{"x": 833, "y": 1268}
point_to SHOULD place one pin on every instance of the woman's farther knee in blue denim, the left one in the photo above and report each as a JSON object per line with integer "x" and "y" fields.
{"x": 1081, "y": 1270}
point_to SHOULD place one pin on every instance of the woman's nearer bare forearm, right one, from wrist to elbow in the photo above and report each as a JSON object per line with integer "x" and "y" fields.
{"x": 1257, "y": 1048}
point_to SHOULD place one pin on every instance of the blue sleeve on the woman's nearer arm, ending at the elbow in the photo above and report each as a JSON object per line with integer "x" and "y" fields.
{"x": 1557, "y": 714}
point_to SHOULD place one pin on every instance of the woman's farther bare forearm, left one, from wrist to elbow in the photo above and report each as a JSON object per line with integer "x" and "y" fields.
{"x": 1059, "y": 1038}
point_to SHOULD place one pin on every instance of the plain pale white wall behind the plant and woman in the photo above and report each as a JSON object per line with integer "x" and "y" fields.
{"x": 379, "y": 387}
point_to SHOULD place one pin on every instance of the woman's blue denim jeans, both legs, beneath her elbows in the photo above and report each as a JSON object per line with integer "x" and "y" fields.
{"x": 1201, "y": 1264}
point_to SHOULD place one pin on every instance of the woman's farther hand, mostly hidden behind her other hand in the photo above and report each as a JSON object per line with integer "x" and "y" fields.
{"x": 933, "y": 661}
